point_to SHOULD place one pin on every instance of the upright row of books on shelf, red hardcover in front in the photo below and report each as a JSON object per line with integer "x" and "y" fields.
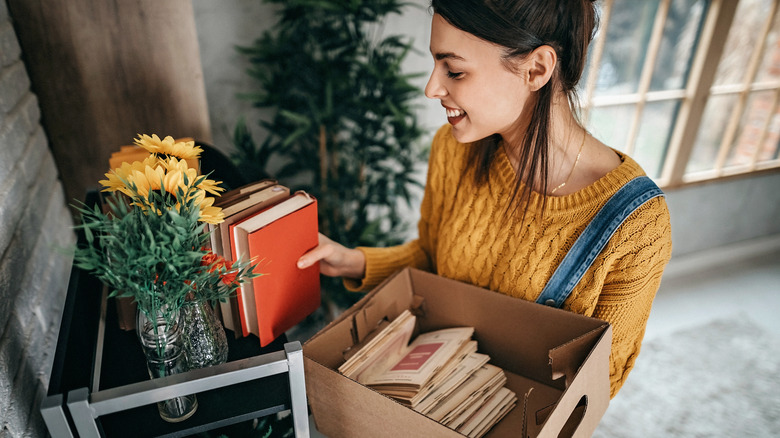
{"x": 272, "y": 227}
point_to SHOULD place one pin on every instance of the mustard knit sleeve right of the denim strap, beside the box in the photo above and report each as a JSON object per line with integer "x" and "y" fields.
{"x": 626, "y": 298}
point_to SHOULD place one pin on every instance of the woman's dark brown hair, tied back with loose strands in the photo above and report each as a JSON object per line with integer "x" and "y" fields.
{"x": 520, "y": 26}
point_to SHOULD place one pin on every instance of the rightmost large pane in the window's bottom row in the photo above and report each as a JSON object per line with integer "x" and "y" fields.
{"x": 760, "y": 107}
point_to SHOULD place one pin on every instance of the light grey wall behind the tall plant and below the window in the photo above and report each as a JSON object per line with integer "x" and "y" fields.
{"x": 703, "y": 217}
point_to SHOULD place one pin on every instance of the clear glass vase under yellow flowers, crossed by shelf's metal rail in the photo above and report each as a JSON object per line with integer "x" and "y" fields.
{"x": 163, "y": 347}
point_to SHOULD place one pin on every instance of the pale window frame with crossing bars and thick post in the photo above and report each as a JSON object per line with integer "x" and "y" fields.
{"x": 693, "y": 98}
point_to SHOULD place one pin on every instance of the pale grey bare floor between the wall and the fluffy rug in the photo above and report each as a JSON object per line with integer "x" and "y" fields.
{"x": 741, "y": 279}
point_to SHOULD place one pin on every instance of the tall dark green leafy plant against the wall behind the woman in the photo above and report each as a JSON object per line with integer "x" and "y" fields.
{"x": 342, "y": 125}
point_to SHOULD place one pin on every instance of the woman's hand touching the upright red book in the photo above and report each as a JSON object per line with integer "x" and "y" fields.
{"x": 335, "y": 259}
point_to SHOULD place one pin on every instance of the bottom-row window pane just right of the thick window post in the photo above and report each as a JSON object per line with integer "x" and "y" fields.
{"x": 713, "y": 124}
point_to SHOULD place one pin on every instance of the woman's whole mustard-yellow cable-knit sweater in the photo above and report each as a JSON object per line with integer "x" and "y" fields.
{"x": 464, "y": 235}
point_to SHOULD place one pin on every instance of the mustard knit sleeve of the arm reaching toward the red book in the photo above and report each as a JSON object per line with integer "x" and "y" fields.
{"x": 418, "y": 253}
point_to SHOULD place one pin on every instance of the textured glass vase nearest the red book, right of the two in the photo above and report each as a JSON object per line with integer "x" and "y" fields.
{"x": 204, "y": 337}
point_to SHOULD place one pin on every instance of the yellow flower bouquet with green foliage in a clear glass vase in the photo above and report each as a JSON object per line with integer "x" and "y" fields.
{"x": 150, "y": 244}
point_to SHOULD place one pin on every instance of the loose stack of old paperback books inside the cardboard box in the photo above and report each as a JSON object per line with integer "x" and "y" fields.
{"x": 439, "y": 374}
